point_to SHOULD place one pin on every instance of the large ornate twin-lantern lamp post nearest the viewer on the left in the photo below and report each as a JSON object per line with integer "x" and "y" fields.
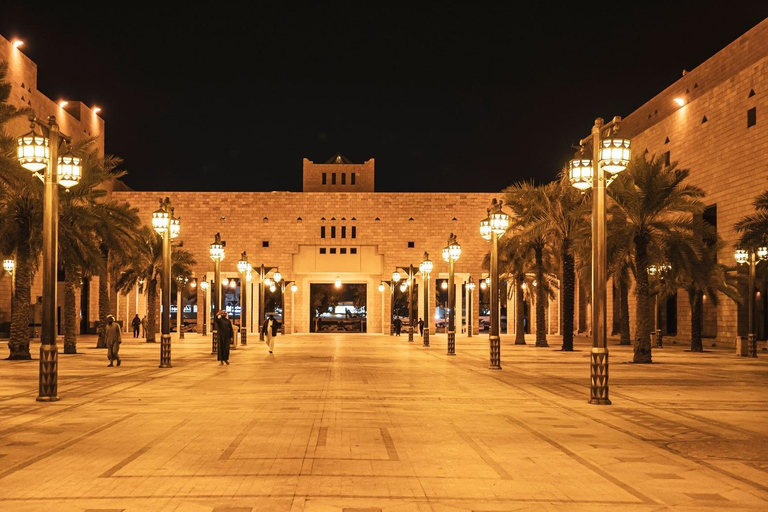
{"x": 39, "y": 153}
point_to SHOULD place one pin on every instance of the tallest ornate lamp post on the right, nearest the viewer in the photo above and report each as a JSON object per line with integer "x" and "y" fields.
{"x": 611, "y": 154}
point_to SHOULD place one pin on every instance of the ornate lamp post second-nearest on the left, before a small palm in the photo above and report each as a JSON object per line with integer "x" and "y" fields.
{"x": 167, "y": 226}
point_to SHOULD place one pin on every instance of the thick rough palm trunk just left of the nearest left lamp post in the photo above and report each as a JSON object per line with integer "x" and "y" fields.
{"x": 18, "y": 344}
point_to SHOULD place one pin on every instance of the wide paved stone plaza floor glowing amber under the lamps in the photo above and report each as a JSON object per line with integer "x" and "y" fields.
{"x": 369, "y": 423}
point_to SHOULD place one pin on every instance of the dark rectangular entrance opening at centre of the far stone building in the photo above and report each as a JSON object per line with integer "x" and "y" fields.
{"x": 338, "y": 309}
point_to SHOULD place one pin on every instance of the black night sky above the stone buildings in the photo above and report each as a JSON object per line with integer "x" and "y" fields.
{"x": 446, "y": 96}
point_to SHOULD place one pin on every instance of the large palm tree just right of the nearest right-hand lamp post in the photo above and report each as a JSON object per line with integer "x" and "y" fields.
{"x": 658, "y": 207}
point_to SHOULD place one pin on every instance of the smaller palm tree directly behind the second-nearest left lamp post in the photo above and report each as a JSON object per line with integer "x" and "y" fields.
{"x": 144, "y": 266}
